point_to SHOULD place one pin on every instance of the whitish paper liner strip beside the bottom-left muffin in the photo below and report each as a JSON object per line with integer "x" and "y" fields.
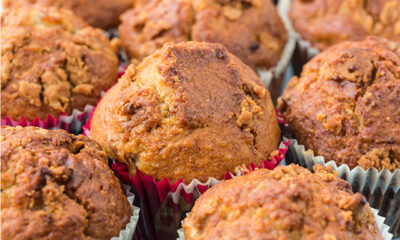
{"x": 127, "y": 233}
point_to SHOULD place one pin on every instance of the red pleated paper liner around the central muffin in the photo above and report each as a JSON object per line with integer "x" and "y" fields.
{"x": 163, "y": 204}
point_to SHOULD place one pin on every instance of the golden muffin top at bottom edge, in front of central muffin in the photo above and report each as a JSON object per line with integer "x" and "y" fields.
{"x": 286, "y": 203}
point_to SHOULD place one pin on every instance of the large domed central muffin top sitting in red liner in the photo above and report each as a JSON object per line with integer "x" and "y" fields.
{"x": 190, "y": 110}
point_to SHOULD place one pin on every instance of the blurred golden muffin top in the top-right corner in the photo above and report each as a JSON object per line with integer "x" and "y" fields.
{"x": 327, "y": 22}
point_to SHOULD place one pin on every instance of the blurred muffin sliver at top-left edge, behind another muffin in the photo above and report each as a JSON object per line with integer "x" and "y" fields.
{"x": 98, "y": 13}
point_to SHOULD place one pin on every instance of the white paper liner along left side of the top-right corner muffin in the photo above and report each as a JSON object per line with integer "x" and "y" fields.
{"x": 303, "y": 50}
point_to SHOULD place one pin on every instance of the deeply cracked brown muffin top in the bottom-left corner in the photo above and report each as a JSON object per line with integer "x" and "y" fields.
{"x": 55, "y": 185}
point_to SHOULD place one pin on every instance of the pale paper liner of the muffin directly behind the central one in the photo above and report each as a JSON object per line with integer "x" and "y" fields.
{"x": 273, "y": 77}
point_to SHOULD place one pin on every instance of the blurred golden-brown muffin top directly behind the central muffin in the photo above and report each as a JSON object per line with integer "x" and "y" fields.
{"x": 250, "y": 29}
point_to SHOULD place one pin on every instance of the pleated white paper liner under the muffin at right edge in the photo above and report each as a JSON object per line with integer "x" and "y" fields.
{"x": 381, "y": 188}
